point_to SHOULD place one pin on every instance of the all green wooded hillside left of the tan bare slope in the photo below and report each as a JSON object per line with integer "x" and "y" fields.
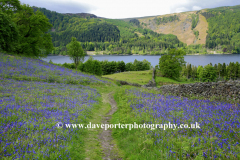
{"x": 109, "y": 35}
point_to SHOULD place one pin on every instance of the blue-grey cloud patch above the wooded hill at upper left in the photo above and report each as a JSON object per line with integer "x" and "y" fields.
{"x": 59, "y": 6}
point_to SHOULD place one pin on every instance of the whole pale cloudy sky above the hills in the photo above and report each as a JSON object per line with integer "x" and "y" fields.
{"x": 128, "y": 8}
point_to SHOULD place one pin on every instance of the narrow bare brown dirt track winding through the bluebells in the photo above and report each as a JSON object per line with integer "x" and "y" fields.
{"x": 105, "y": 136}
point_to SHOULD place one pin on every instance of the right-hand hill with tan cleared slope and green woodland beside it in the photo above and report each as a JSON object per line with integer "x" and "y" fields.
{"x": 215, "y": 28}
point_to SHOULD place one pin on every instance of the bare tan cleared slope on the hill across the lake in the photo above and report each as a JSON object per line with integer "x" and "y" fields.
{"x": 181, "y": 28}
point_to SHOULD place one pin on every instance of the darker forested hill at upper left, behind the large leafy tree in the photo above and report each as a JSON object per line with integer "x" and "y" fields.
{"x": 84, "y": 28}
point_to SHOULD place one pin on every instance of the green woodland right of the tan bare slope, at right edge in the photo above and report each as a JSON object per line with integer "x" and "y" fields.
{"x": 224, "y": 28}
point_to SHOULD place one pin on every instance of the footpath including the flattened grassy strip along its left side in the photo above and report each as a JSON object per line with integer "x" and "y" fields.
{"x": 99, "y": 143}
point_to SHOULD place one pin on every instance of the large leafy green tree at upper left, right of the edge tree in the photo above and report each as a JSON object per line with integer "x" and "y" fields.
{"x": 32, "y": 27}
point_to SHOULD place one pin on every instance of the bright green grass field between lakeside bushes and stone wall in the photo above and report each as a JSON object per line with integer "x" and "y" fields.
{"x": 140, "y": 77}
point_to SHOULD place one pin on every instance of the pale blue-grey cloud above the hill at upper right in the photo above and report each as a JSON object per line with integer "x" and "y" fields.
{"x": 194, "y": 4}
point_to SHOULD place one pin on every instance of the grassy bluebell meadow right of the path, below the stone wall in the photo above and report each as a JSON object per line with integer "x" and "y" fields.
{"x": 217, "y": 138}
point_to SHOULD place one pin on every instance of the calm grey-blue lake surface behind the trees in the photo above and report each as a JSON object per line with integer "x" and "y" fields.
{"x": 154, "y": 60}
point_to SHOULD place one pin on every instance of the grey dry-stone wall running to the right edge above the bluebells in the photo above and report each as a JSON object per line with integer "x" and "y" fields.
{"x": 228, "y": 90}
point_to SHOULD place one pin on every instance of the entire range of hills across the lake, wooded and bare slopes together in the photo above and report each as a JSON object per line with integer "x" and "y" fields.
{"x": 217, "y": 29}
